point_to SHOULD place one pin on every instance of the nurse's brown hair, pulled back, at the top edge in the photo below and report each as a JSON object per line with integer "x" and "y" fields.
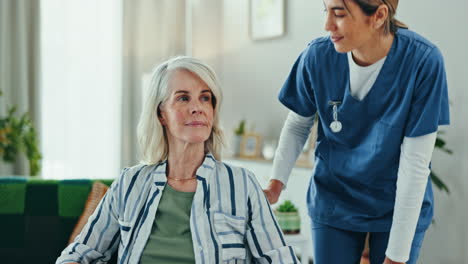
{"x": 369, "y": 7}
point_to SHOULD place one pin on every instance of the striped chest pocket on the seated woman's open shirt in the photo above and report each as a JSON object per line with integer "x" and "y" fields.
{"x": 230, "y": 231}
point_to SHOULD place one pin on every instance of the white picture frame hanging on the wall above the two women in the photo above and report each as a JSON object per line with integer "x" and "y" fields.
{"x": 267, "y": 19}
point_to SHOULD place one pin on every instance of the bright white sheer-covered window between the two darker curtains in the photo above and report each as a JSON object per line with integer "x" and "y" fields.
{"x": 81, "y": 81}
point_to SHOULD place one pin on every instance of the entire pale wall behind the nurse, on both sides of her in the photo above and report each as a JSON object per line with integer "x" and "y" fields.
{"x": 252, "y": 73}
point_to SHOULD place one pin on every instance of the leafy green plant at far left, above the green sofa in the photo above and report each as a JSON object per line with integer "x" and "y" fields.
{"x": 17, "y": 134}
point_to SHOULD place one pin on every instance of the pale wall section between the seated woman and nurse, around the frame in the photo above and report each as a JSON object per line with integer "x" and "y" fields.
{"x": 253, "y": 71}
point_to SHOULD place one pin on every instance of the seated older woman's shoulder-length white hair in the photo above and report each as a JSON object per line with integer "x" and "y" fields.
{"x": 151, "y": 134}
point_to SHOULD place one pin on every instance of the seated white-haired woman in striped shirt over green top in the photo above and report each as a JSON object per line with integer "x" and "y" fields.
{"x": 183, "y": 205}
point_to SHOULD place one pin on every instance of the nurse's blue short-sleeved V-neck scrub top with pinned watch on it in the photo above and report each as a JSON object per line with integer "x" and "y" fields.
{"x": 354, "y": 180}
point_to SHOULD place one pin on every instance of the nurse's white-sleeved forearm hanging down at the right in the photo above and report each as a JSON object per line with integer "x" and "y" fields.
{"x": 413, "y": 174}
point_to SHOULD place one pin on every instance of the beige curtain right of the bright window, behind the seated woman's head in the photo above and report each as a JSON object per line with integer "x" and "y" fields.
{"x": 154, "y": 30}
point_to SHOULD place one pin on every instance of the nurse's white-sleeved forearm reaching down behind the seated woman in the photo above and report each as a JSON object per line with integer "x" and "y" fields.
{"x": 293, "y": 136}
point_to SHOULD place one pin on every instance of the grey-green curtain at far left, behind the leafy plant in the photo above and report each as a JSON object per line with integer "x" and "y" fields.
{"x": 19, "y": 66}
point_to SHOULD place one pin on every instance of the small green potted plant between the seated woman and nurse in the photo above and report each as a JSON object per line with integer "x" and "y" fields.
{"x": 288, "y": 218}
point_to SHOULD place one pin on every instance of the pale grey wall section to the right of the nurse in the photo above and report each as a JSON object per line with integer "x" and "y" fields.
{"x": 447, "y": 240}
